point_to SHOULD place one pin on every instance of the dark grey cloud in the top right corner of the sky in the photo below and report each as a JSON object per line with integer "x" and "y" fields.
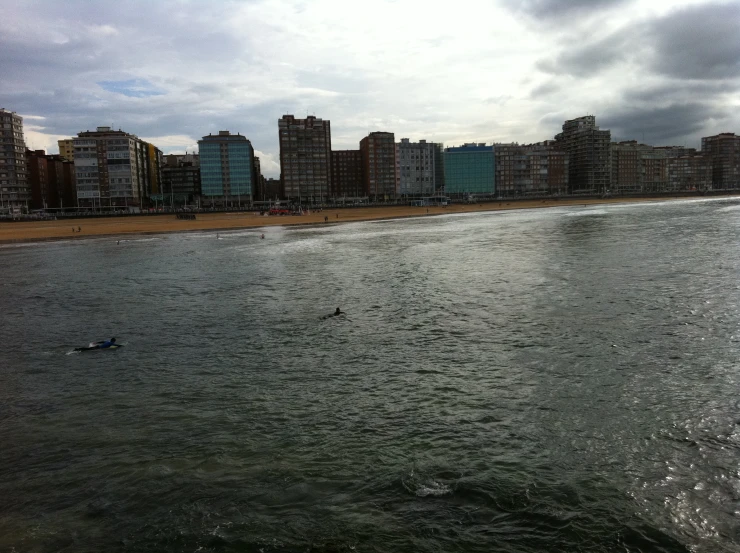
{"x": 698, "y": 42}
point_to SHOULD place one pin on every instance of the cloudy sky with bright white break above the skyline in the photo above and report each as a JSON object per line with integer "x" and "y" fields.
{"x": 666, "y": 72}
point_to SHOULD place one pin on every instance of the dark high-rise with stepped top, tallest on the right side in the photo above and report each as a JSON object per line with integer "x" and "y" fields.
{"x": 588, "y": 150}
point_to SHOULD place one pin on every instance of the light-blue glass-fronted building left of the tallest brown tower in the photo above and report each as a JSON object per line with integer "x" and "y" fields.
{"x": 226, "y": 169}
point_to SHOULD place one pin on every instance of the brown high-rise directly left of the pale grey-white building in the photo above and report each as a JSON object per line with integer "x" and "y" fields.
{"x": 378, "y": 151}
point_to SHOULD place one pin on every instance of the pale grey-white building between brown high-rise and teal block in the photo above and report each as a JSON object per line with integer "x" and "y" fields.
{"x": 417, "y": 167}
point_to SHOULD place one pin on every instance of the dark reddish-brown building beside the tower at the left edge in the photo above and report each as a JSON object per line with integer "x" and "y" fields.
{"x": 51, "y": 180}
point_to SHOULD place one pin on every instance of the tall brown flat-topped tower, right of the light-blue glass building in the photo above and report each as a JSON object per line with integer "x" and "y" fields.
{"x": 305, "y": 158}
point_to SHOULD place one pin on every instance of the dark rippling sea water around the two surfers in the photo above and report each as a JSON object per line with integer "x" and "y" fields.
{"x": 547, "y": 380}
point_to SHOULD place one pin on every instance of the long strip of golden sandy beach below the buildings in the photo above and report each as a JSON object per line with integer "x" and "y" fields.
{"x": 31, "y": 231}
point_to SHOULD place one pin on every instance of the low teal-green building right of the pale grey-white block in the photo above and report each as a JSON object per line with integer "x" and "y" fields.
{"x": 470, "y": 170}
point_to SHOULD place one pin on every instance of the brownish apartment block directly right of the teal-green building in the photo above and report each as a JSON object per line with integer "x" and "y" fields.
{"x": 524, "y": 170}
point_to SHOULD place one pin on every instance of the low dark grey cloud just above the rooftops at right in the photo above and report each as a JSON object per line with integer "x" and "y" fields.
{"x": 674, "y": 124}
